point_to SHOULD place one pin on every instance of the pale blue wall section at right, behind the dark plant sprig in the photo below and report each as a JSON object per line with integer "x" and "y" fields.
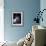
{"x": 43, "y": 6}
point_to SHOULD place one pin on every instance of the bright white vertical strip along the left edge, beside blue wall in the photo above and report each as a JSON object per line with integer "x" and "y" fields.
{"x": 1, "y": 20}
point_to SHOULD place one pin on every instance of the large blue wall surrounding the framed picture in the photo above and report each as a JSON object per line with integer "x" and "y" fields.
{"x": 29, "y": 7}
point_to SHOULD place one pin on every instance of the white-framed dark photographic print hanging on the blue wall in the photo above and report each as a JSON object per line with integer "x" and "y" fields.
{"x": 17, "y": 18}
